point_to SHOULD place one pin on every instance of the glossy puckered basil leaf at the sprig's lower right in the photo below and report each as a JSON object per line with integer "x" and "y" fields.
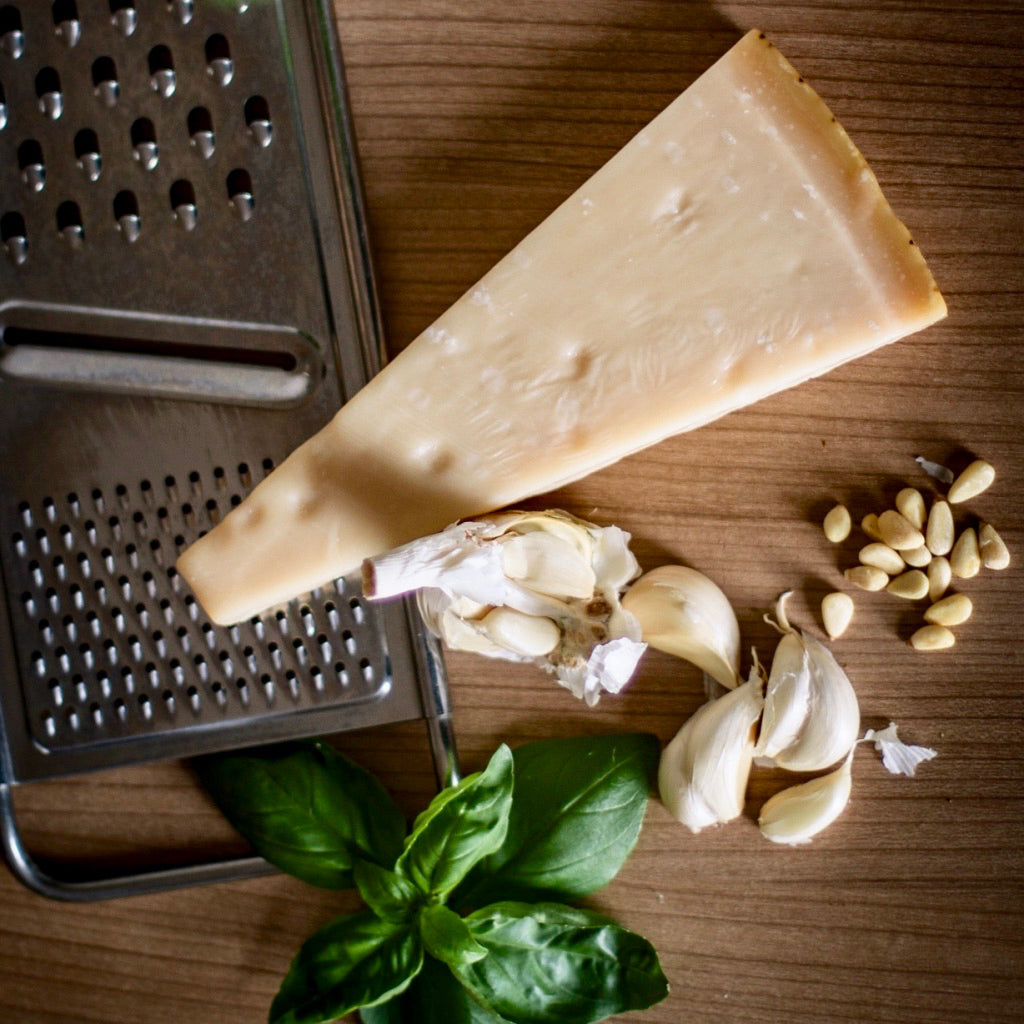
{"x": 551, "y": 963}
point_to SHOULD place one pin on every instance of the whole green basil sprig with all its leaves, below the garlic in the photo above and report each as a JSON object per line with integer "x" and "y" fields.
{"x": 452, "y": 933}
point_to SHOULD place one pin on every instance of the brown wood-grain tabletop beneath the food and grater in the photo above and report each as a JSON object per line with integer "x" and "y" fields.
{"x": 475, "y": 120}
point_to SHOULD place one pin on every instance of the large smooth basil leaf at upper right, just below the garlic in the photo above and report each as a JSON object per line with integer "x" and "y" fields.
{"x": 577, "y": 812}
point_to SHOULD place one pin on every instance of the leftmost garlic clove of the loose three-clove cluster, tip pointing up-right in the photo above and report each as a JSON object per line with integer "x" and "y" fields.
{"x": 704, "y": 772}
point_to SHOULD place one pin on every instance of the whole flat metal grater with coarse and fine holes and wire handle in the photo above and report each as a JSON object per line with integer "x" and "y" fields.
{"x": 185, "y": 297}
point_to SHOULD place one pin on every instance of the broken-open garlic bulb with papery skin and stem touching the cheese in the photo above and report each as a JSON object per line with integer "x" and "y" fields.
{"x": 535, "y": 587}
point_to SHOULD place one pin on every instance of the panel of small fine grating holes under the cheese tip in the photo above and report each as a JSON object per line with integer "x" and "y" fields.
{"x": 293, "y": 654}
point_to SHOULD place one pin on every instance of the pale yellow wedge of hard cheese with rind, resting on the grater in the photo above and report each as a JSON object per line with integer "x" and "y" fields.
{"x": 738, "y": 246}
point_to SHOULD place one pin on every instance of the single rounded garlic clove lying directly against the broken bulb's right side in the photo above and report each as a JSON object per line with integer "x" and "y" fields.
{"x": 684, "y": 613}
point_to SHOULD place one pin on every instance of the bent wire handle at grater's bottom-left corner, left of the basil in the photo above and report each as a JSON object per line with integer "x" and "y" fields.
{"x": 76, "y": 888}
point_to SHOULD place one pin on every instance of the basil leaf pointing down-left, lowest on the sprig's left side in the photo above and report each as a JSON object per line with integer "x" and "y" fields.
{"x": 356, "y": 961}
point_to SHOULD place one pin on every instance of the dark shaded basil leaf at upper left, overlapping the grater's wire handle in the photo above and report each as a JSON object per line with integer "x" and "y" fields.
{"x": 308, "y": 809}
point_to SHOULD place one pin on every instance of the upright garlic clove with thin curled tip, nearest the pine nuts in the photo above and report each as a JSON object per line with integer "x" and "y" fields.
{"x": 812, "y": 717}
